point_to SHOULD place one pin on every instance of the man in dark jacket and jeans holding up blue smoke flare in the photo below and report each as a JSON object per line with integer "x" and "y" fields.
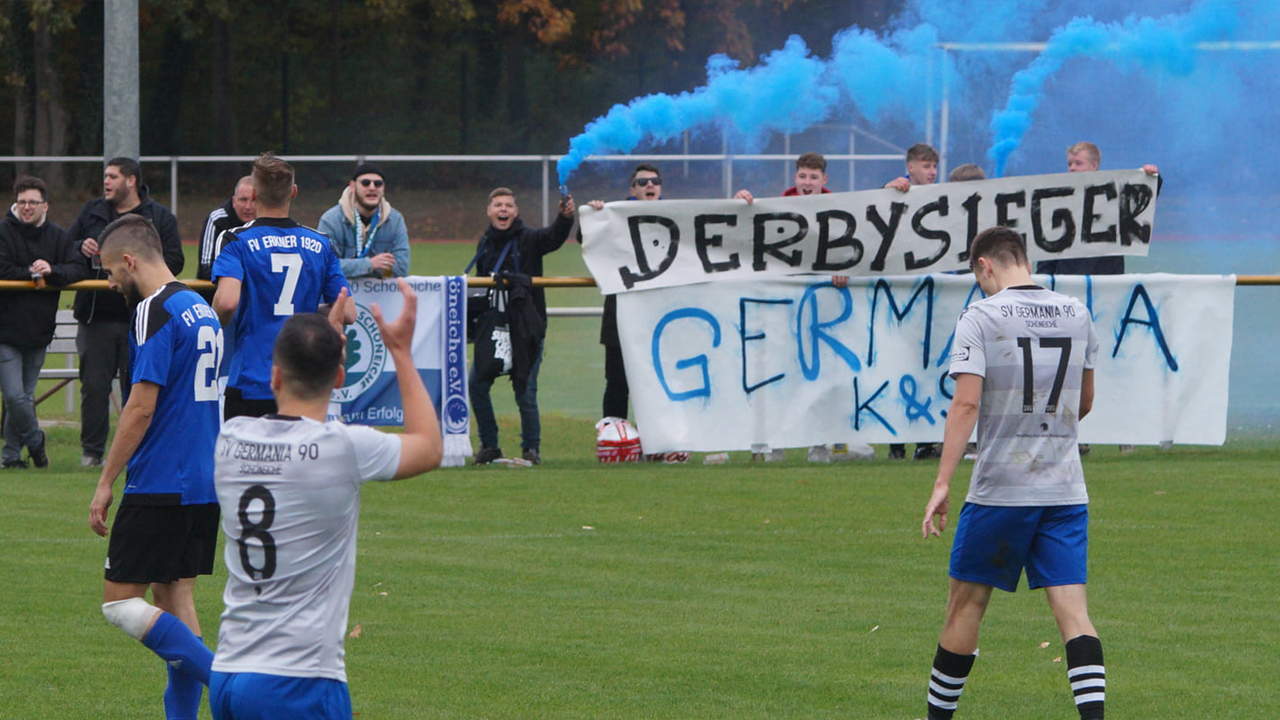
{"x": 520, "y": 250}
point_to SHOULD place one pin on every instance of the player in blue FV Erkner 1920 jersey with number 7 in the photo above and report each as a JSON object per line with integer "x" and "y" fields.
{"x": 267, "y": 272}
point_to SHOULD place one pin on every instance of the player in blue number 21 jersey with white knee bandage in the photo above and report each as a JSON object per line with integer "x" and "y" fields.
{"x": 166, "y": 530}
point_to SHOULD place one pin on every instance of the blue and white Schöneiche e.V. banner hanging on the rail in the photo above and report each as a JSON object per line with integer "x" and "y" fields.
{"x": 371, "y": 394}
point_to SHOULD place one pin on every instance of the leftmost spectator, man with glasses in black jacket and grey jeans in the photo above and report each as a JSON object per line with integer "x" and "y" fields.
{"x": 31, "y": 249}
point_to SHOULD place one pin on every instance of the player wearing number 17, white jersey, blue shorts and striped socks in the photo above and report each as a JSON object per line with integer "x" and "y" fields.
{"x": 1023, "y": 364}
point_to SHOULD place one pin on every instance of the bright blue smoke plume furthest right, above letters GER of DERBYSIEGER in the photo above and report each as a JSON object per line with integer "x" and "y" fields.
{"x": 1155, "y": 47}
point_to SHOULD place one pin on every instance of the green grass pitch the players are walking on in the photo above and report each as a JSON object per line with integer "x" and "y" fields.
{"x": 739, "y": 591}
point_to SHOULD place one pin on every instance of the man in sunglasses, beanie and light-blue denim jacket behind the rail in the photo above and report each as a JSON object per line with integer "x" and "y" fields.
{"x": 368, "y": 235}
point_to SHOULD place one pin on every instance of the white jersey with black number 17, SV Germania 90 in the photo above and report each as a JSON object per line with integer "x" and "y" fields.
{"x": 1031, "y": 347}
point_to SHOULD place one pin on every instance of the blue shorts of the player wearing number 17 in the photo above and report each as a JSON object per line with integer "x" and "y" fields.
{"x": 993, "y": 546}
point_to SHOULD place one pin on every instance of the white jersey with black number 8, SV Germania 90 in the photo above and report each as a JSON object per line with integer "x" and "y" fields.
{"x": 290, "y": 495}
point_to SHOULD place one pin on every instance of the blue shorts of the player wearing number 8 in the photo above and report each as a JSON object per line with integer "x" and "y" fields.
{"x": 254, "y": 696}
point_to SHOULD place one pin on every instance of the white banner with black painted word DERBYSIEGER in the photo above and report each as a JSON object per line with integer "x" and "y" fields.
{"x": 642, "y": 245}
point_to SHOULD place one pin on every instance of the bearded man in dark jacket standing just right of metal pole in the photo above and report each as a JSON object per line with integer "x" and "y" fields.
{"x": 103, "y": 339}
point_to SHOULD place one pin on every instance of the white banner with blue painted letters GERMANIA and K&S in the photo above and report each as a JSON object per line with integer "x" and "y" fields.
{"x": 797, "y": 362}
